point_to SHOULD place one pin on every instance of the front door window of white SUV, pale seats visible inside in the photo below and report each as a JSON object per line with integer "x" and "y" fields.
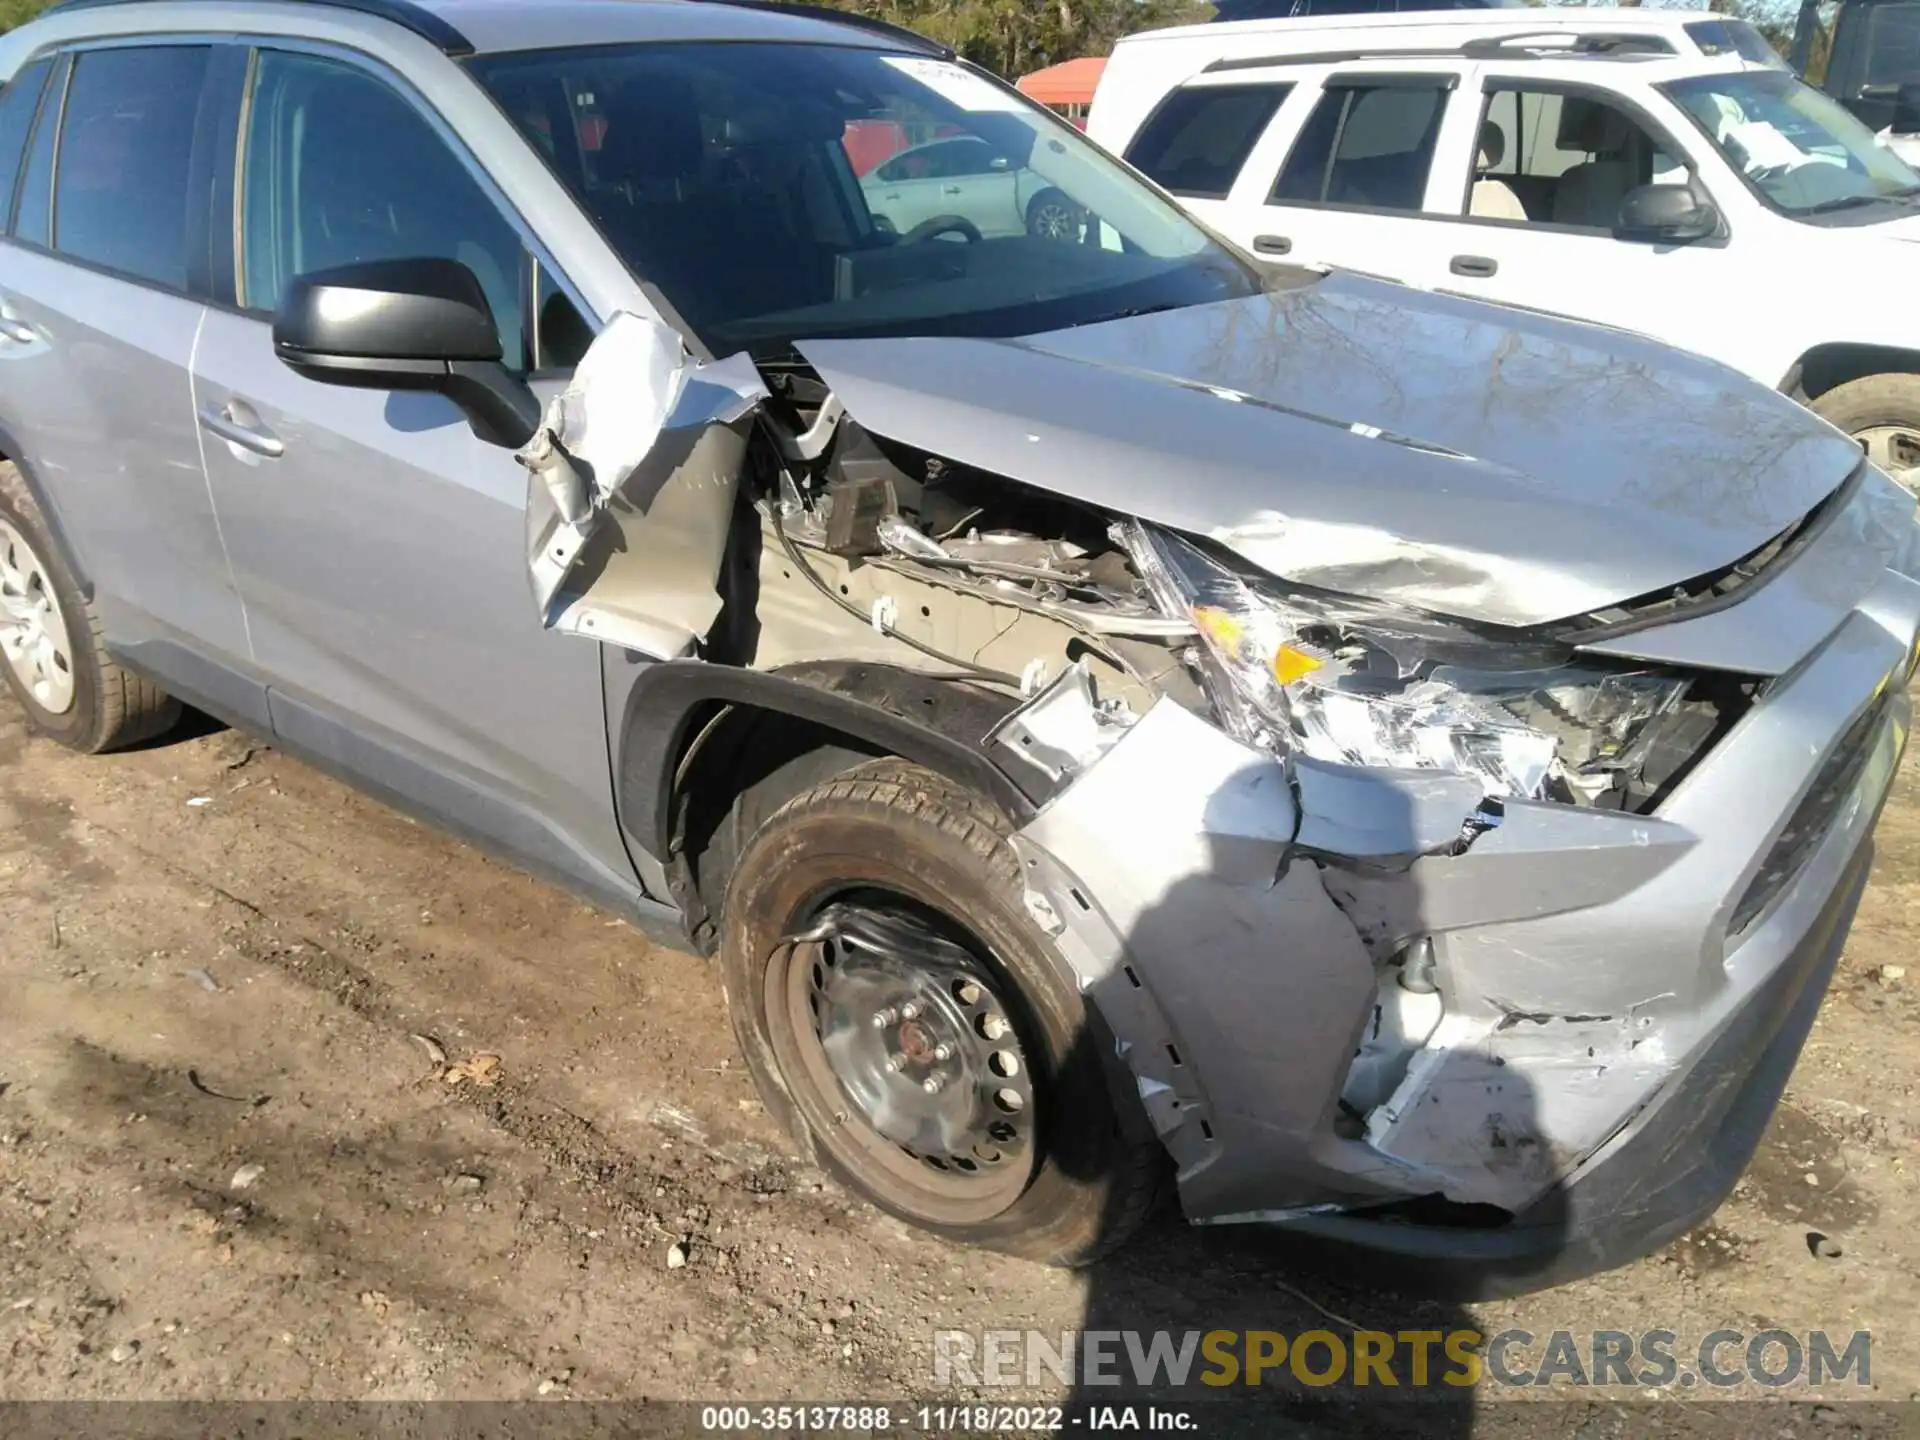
{"x": 1550, "y": 158}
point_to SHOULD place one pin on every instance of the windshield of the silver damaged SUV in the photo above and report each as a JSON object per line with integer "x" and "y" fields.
{"x": 796, "y": 191}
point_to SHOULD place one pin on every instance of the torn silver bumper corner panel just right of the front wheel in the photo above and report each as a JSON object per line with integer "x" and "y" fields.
{"x": 1237, "y": 992}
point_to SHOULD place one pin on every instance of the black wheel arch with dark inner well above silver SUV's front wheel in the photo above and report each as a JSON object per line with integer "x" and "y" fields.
{"x": 696, "y": 736}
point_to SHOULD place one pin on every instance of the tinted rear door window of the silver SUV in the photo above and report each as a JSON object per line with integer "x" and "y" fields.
{"x": 126, "y": 145}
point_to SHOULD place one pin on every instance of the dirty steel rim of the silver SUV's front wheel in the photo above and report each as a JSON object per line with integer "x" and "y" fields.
{"x": 955, "y": 1155}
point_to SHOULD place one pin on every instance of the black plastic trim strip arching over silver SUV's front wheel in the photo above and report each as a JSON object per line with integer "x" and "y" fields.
{"x": 924, "y": 719}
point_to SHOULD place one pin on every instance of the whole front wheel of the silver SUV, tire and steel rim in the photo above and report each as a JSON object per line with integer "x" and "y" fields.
{"x": 903, "y": 1019}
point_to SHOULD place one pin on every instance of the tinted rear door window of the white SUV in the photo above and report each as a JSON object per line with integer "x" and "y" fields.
{"x": 1366, "y": 145}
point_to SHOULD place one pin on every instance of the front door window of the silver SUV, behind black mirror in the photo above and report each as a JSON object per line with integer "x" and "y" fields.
{"x": 343, "y": 170}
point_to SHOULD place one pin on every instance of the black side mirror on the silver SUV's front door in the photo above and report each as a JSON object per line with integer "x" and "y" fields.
{"x": 406, "y": 325}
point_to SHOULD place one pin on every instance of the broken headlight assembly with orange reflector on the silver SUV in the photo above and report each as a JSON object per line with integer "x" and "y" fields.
{"x": 1366, "y": 684}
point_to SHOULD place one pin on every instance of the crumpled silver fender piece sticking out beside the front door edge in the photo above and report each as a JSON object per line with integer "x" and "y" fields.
{"x": 631, "y": 489}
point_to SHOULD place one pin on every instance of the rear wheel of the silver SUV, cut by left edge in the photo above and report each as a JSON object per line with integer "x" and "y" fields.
{"x": 84, "y": 702}
